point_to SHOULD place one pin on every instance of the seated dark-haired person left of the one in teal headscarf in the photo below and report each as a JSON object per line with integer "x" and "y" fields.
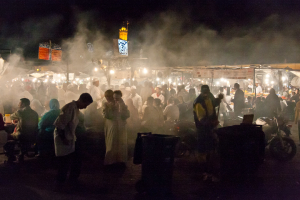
{"x": 25, "y": 131}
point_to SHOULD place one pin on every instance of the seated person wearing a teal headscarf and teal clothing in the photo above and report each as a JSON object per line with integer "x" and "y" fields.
{"x": 46, "y": 128}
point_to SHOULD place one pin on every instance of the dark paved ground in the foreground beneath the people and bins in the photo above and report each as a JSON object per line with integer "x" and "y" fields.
{"x": 29, "y": 181}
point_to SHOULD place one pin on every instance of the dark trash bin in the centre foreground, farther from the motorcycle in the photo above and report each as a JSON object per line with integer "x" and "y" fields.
{"x": 157, "y": 164}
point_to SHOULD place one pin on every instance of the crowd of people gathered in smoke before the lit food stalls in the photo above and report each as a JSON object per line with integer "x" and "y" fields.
{"x": 50, "y": 115}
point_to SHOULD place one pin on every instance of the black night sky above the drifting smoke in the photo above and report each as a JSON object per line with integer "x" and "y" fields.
{"x": 58, "y": 19}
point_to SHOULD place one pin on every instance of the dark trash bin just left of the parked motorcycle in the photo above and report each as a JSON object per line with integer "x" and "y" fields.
{"x": 241, "y": 150}
